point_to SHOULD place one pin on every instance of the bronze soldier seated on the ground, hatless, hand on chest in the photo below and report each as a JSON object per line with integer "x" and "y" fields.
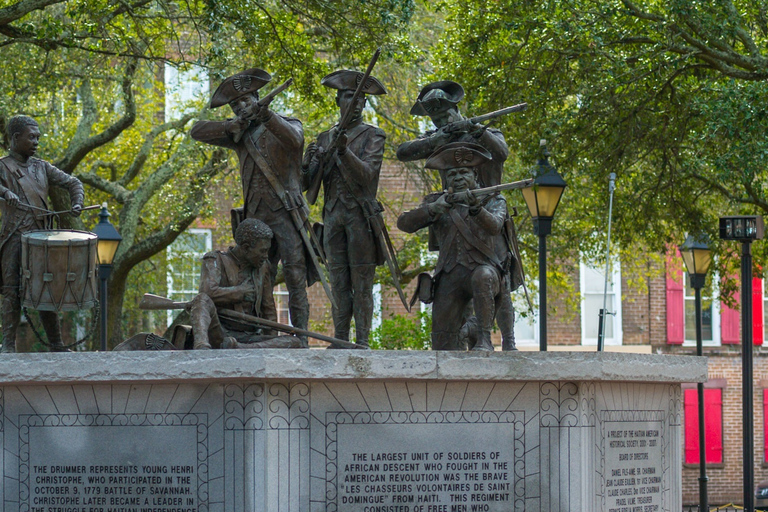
{"x": 237, "y": 279}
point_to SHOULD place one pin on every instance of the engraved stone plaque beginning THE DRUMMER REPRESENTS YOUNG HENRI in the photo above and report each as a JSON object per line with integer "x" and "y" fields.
{"x": 121, "y": 462}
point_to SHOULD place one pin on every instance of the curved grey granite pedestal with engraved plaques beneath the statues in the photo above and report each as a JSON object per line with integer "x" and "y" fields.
{"x": 315, "y": 430}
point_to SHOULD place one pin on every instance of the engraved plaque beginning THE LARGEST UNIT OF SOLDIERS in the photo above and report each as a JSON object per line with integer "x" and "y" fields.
{"x": 438, "y": 461}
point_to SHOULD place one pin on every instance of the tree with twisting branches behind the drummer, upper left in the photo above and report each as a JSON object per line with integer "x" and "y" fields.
{"x": 91, "y": 73}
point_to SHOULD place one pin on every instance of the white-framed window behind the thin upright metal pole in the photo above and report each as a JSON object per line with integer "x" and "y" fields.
{"x": 592, "y": 282}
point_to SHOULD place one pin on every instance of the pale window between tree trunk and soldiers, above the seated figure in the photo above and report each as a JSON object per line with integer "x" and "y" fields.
{"x": 183, "y": 257}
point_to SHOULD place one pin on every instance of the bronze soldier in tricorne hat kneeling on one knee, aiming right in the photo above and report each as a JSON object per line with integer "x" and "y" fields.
{"x": 466, "y": 233}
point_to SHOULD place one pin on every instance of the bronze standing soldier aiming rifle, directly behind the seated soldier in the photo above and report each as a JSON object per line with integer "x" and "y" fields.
{"x": 269, "y": 147}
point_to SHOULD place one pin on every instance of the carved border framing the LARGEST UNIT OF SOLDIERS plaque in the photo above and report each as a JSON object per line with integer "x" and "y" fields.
{"x": 334, "y": 418}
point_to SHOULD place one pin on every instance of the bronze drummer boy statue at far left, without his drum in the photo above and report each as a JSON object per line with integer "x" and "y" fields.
{"x": 24, "y": 181}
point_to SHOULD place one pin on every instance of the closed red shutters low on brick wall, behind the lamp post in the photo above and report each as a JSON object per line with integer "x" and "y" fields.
{"x": 713, "y": 425}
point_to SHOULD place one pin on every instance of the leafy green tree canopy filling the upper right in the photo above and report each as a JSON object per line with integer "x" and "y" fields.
{"x": 665, "y": 94}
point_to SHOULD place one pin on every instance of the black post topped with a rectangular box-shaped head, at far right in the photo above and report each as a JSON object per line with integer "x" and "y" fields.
{"x": 746, "y": 229}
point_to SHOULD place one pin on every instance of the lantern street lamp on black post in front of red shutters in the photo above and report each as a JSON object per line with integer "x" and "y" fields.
{"x": 697, "y": 258}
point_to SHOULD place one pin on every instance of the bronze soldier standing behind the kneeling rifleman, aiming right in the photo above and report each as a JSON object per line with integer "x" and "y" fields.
{"x": 439, "y": 101}
